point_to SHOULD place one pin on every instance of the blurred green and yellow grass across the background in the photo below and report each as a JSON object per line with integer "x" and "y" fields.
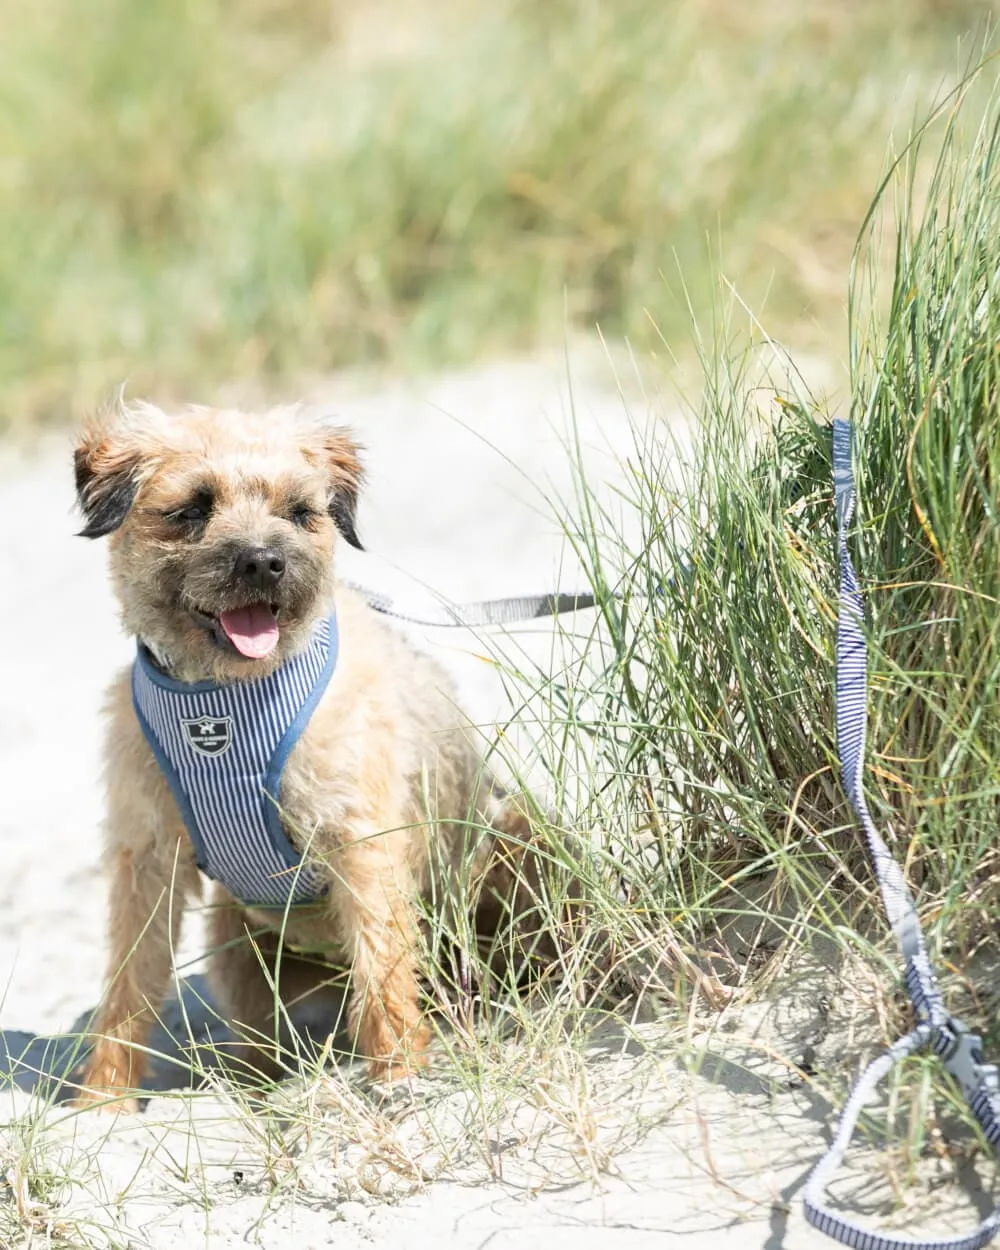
{"x": 193, "y": 192}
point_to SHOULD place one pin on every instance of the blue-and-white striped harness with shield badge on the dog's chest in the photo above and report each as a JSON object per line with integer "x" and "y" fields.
{"x": 223, "y": 749}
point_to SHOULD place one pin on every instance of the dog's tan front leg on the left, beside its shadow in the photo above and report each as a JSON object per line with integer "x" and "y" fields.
{"x": 149, "y": 889}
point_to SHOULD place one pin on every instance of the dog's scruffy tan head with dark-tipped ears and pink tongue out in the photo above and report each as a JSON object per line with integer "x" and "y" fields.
{"x": 223, "y": 529}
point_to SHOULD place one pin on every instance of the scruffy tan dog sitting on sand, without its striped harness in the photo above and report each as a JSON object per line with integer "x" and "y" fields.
{"x": 223, "y": 534}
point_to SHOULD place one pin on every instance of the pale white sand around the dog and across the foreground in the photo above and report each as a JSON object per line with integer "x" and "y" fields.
{"x": 688, "y": 1162}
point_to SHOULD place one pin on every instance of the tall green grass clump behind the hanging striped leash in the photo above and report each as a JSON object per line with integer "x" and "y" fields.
{"x": 696, "y": 728}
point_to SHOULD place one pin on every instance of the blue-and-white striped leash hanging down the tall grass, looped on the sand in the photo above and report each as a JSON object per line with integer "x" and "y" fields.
{"x": 936, "y": 1029}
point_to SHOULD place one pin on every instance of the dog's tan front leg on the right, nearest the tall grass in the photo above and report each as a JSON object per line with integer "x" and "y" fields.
{"x": 377, "y": 918}
